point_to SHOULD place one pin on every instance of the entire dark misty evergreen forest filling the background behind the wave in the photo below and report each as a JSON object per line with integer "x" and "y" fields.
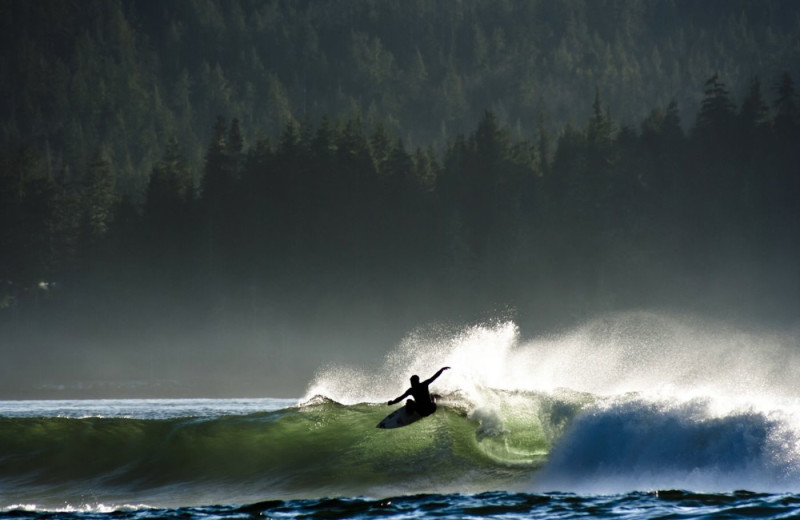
{"x": 237, "y": 165}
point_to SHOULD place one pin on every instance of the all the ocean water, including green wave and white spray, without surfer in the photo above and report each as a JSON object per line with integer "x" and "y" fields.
{"x": 623, "y": 418}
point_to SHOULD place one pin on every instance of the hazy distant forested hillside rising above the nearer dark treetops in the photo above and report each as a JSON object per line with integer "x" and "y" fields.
{"x": 127, "y": 75}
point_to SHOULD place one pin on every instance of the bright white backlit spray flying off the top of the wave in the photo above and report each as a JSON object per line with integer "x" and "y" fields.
{"x": 616, "y": 354}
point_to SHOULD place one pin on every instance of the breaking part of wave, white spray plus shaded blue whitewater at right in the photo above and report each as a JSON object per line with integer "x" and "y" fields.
{"x": 679, "y": 402}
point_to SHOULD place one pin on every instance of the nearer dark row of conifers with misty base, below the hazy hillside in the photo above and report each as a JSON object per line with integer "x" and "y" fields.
{"x": 596, "y": 217}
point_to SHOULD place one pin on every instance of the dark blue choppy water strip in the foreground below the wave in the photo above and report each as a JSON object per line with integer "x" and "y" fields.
{"x": 501, "y": 505}
